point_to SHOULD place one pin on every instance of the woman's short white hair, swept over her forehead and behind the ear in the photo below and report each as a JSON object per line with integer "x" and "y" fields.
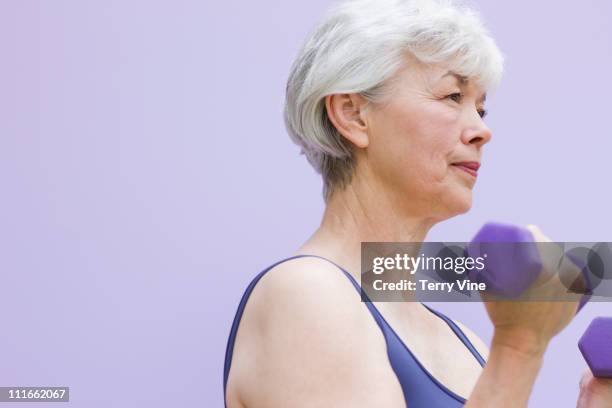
{"x": 357, "y": 47}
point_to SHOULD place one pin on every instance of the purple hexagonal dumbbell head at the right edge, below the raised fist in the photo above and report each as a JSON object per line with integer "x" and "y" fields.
{"x": 596, "y": 347}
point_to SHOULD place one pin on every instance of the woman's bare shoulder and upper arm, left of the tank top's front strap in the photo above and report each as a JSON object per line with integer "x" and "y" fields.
{"x": 302, "y": 343}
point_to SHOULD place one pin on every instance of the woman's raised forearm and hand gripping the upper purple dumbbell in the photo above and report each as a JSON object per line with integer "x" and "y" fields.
{"x": 522, "y": 332}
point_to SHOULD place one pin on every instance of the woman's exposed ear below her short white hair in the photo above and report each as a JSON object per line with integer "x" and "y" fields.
{"x": 347, "y": 113}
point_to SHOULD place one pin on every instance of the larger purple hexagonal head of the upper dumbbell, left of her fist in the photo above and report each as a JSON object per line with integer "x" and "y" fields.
{"x": 512, "y": 259}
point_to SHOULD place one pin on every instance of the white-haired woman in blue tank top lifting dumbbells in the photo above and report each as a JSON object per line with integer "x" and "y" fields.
{"x": 386, "y": 100}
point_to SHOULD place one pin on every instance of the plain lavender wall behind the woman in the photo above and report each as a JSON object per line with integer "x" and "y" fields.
{"x": 146, "y": 177}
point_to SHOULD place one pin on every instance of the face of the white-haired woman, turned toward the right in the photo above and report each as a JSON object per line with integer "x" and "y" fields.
{"x": 423, "y": 141}
